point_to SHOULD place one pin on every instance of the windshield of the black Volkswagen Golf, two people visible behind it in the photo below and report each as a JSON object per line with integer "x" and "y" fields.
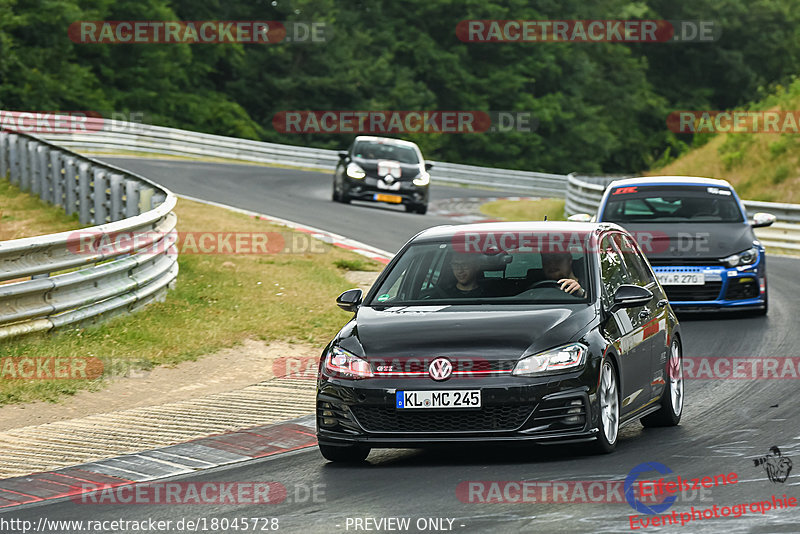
{"x": 441, "y": 273}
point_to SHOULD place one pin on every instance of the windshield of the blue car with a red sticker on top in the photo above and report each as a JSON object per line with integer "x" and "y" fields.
{"x": 672, "y": 204}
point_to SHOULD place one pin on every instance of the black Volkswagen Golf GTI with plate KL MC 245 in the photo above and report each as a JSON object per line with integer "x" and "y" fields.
{"x": 548, "y": 332}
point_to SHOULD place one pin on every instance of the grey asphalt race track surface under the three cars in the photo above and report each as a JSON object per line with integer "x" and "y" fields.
{"x": 726, "y": 423}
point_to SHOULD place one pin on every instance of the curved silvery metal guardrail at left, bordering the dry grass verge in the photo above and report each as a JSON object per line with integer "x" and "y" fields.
{"x": 63, "y": 279}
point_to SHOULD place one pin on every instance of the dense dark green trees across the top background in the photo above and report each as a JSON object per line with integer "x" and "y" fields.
{"x": 600, "y": 106}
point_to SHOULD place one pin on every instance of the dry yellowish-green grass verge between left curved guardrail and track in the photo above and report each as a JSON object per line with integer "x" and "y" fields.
{"x": 219, "y": 301}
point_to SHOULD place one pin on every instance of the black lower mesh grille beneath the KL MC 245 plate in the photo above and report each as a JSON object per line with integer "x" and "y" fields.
{"x": 489, "y": 418}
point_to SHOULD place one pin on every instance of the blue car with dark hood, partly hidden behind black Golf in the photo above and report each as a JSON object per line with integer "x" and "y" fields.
{"x": 696, "y": 235}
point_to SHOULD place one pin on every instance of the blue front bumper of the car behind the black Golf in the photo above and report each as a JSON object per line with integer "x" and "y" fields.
{"x": 738, "y": 288}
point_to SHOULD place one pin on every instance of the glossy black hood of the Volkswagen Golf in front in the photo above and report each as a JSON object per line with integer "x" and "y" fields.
{"x": 490, "y": 332}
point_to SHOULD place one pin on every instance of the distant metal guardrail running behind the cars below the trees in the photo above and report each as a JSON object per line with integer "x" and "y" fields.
{"x": 582, "y": 193}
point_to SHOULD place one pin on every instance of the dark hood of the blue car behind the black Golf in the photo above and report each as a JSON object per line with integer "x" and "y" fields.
{"x": 692, "y": 240}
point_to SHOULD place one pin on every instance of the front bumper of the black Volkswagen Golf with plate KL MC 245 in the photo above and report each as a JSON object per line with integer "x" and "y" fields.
{"x": 512, "y": 409}
